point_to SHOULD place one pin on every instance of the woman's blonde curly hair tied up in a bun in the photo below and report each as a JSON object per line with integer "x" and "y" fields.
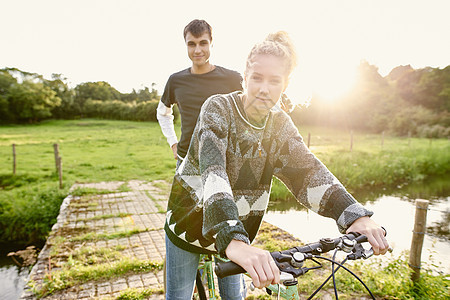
{"x": 278, "y": 44}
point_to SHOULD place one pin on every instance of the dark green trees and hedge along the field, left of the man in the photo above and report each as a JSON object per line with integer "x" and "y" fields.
{"x": 29, "y": 97}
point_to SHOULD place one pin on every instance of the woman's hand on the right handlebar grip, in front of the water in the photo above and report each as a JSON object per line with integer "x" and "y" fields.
{"x": 374, "y": 233}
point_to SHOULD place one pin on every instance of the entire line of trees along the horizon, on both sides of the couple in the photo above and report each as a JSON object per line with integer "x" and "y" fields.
{"x": 406, "y": 102}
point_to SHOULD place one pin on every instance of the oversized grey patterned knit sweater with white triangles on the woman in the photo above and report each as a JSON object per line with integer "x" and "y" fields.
{"x": 221, "y": 190}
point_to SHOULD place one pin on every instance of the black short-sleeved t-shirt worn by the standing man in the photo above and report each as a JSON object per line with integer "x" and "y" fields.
{"x": 189, "y": 91}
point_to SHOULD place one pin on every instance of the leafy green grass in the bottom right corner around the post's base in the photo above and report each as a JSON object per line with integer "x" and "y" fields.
{"x": 386, "y": 281}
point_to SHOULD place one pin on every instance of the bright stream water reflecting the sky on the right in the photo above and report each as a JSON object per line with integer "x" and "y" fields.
{"x": 393, "y": 209}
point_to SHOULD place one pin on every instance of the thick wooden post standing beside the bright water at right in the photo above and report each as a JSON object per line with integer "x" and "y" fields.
{"x": 420, "y": 225}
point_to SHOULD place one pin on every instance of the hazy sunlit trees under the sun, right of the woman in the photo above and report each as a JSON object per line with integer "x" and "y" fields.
{"x": 406, "y": 102}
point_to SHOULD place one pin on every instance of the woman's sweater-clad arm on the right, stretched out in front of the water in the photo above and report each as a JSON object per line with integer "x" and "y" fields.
{"x": 312, "y": 183}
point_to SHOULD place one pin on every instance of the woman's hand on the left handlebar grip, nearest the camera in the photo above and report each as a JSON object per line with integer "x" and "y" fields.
{"x": 258, "y": 263}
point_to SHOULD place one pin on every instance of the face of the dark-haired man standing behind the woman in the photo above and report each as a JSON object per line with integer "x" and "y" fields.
{"x": 199, "y": 48}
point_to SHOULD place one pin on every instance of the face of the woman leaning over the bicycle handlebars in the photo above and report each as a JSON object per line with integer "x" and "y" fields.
{"x": 265, "y": 80}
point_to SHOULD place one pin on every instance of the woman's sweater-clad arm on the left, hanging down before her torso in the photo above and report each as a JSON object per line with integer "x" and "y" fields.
{"x": 220, "y": 214}
